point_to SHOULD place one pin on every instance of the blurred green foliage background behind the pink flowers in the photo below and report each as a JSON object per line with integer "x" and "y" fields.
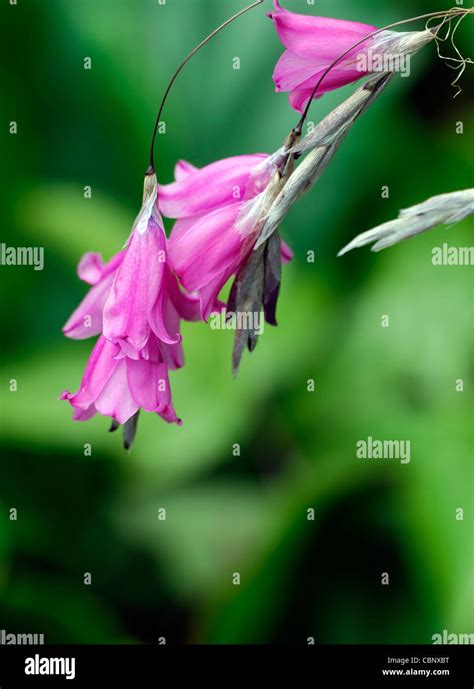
{"x": 226, "y": 513}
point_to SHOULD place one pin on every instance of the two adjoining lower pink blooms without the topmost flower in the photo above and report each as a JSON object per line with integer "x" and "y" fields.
{"x": 138, "y": 299}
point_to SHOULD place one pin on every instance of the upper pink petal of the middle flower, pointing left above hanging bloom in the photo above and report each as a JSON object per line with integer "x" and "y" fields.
{"x": 218, "y": 184}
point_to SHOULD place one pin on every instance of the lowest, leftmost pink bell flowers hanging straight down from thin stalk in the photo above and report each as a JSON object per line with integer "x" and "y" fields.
{"x": 136, "y": 303}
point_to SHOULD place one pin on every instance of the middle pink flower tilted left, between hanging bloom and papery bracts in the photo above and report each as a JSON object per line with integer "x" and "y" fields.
{"x": 214, "y": 232}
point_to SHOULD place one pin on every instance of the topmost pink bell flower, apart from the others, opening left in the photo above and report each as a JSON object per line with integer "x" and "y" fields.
{"x": 312, "y": 45}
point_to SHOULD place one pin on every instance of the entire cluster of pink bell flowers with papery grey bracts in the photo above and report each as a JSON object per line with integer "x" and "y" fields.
{"x": 226, "y": 226}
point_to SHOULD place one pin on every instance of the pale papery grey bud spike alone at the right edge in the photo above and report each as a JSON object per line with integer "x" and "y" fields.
{"x": 445, "y": 209}
